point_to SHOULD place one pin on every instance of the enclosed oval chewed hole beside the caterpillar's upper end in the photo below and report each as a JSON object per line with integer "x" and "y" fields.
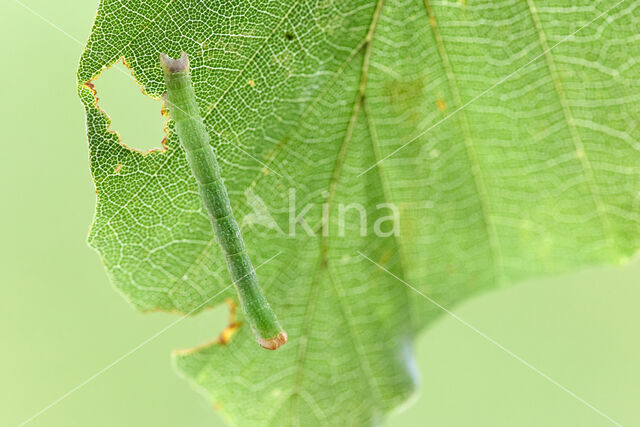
{"x": 135, "y": 116}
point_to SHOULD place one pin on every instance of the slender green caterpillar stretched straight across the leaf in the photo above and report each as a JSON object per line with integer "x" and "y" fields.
{"x": 184, "y": 111}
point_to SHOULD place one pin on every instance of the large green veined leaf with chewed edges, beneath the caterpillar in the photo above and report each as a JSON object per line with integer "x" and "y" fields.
{"x": 523, "y": 161}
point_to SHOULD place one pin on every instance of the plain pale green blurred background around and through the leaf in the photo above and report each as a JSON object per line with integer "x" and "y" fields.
{"x": 62, "y": 322}
